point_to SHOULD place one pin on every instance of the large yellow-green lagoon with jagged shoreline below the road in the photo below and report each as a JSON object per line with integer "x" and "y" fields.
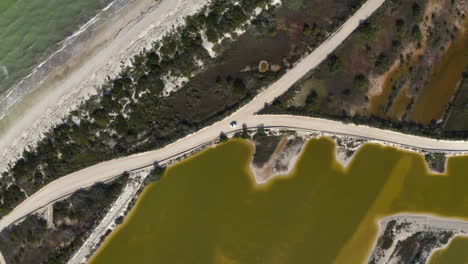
{"x": 208, "y": 209}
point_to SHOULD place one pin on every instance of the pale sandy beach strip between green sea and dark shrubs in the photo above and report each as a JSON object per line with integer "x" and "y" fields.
{"x": 135, "y": 27}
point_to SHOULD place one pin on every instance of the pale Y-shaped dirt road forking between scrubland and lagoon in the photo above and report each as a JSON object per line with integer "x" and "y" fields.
{"x": 109, "y": 169}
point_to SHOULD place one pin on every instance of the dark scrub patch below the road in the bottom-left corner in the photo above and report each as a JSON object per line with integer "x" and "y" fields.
{"x": 33, "y": 241}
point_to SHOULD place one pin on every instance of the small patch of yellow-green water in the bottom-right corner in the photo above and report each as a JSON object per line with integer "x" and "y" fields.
{"x": 455, "y": 253}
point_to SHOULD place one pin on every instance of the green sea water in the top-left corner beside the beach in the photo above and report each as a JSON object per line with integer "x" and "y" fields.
{"x": 31, "y": 29}
